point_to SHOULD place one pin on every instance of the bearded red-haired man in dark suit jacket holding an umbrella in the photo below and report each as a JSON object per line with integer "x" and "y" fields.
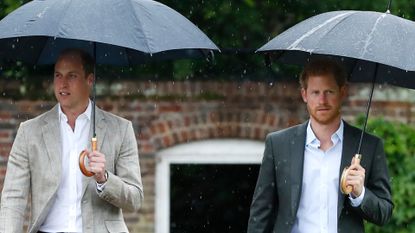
{"x": 298, "y": 183}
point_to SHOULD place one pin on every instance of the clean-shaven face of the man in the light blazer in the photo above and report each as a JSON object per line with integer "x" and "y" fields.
{"x": 71, "y": 85}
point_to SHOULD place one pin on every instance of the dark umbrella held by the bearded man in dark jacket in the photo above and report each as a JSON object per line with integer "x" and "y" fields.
{"x": 373, "y": 46}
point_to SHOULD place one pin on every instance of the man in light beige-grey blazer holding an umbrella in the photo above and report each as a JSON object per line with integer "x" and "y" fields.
{"x": 43, "y": 163}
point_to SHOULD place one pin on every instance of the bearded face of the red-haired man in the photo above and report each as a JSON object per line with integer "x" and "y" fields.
{"x": 324, "y": 98}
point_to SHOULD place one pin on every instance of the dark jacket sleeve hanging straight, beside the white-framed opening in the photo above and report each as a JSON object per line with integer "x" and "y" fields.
{"x": 264, "y": 203}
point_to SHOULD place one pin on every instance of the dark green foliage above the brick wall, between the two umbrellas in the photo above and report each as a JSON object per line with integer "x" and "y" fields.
{"x": 239, "y": 28}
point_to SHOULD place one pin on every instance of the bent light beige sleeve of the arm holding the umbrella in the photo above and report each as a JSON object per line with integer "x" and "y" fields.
{"x": 124, "y": 189}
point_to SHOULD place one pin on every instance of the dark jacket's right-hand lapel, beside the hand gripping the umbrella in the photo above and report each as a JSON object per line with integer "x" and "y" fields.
{"x": 350, "y": 143}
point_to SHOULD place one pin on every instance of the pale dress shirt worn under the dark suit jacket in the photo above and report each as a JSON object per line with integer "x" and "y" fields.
{"x": 317, "y": 211}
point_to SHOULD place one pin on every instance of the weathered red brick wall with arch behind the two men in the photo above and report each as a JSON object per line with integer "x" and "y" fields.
{"x": 169, "y": 113}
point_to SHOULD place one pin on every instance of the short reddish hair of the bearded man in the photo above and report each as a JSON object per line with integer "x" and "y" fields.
{"x": 323, "y": 67}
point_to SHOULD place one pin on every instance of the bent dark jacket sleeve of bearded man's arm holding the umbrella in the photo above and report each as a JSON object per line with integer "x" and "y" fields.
{"x": 377, "y": 205}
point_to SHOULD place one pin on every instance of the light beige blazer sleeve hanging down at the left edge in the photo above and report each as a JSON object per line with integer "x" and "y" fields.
{"x": 16, "y": 186}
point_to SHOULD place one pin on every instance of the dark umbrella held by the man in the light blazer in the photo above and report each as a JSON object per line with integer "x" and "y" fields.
{"x": 117, "y": 32}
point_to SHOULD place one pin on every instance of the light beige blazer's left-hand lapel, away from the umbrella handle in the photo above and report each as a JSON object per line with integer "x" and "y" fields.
{"x": 52, "y": 140}
